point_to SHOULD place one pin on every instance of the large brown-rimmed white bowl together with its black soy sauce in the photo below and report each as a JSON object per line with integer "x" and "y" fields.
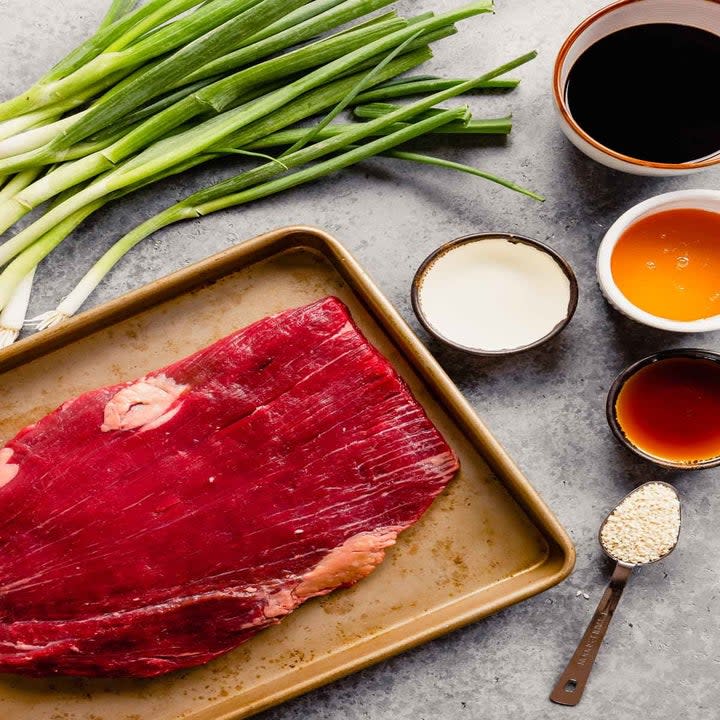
{"x": 635, "y": 85}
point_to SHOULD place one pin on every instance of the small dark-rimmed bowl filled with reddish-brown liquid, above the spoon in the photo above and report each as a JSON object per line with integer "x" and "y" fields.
{"x": 665, "y": 408}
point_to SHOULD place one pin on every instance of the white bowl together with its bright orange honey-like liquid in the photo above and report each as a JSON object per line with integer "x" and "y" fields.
{"x": 659, "y": 263}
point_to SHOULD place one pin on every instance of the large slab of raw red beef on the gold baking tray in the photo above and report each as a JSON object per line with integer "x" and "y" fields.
{"x": 157, "y": 524}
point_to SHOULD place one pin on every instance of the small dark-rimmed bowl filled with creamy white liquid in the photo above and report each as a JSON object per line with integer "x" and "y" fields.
{"x": 494, "y": 294}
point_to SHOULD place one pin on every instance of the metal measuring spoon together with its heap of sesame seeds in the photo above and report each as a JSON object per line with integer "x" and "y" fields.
{"x": 643, "y": 529}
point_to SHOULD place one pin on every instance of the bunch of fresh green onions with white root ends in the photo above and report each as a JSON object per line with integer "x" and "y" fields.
{"x": 168, "y": 85}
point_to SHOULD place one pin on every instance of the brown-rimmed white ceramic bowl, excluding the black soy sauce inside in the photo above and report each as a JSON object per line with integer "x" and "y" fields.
{"x": 703, "y": 14}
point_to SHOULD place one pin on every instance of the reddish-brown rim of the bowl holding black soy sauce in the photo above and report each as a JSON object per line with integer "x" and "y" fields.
{"x": 564, "y": 110}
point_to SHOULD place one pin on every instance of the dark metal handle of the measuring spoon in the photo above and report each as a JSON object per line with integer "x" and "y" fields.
{"x": 571, "y": 685}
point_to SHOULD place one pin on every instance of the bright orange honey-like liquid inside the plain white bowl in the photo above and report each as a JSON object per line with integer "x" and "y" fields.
{"x": 668, "y": 264}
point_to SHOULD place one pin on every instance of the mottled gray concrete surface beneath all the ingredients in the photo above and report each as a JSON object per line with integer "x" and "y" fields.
{"x": 662, "y": 657}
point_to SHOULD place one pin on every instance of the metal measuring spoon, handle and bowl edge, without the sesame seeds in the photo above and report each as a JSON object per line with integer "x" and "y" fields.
{"x": 571, "y": 685}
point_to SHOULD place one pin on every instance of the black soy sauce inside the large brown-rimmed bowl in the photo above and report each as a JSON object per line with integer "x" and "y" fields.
{"x": 650, "y": 92}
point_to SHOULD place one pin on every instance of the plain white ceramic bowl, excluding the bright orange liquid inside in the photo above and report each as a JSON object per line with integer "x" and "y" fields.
{"x": 697, "y": 199}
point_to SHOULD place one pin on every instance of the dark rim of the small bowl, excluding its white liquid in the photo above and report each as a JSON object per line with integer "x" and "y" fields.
{"x": 443, "y": 249}
